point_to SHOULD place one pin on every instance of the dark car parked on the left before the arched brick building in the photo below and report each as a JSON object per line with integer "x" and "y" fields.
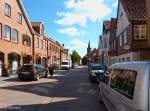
{"x": 32, "y": 72}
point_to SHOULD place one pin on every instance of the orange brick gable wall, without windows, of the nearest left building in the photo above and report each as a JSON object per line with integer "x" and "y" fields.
{"x": 8, "y": 46}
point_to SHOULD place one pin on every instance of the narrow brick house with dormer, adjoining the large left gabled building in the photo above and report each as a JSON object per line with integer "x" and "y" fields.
{"x": 40, "y": 44}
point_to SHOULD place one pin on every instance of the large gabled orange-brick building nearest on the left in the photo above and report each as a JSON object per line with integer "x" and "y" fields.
{"x": 16, "y": 35}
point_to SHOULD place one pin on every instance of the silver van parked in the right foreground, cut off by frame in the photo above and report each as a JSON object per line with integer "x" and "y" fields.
{"x": 126, "y": 87}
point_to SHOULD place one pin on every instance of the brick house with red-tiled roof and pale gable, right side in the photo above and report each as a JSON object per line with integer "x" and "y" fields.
{"x": 133, "y": 44}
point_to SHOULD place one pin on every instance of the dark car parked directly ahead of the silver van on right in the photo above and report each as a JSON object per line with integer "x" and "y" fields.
{"x": 96, "y": 72}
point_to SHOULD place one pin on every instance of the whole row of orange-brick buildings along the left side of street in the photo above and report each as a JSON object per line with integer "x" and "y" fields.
{"x": 22, "y": 42}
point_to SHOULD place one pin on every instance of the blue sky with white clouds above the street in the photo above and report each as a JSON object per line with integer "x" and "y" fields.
{"x": 72, "y": 22}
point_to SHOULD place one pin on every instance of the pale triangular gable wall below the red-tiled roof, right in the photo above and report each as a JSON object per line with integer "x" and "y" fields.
{"x": 122, "y": 19}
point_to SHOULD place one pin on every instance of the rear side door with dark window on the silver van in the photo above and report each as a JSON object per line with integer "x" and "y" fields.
{"x": 122, "y": 90}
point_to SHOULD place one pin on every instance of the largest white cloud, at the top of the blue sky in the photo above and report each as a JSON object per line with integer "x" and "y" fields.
{"x": 80, "y": 11}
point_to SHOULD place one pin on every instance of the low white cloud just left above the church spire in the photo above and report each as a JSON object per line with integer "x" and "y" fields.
{"x": 77, "y": 44}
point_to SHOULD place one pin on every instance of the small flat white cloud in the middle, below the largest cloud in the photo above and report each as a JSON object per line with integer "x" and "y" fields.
{"x": 71, "y": 31}
